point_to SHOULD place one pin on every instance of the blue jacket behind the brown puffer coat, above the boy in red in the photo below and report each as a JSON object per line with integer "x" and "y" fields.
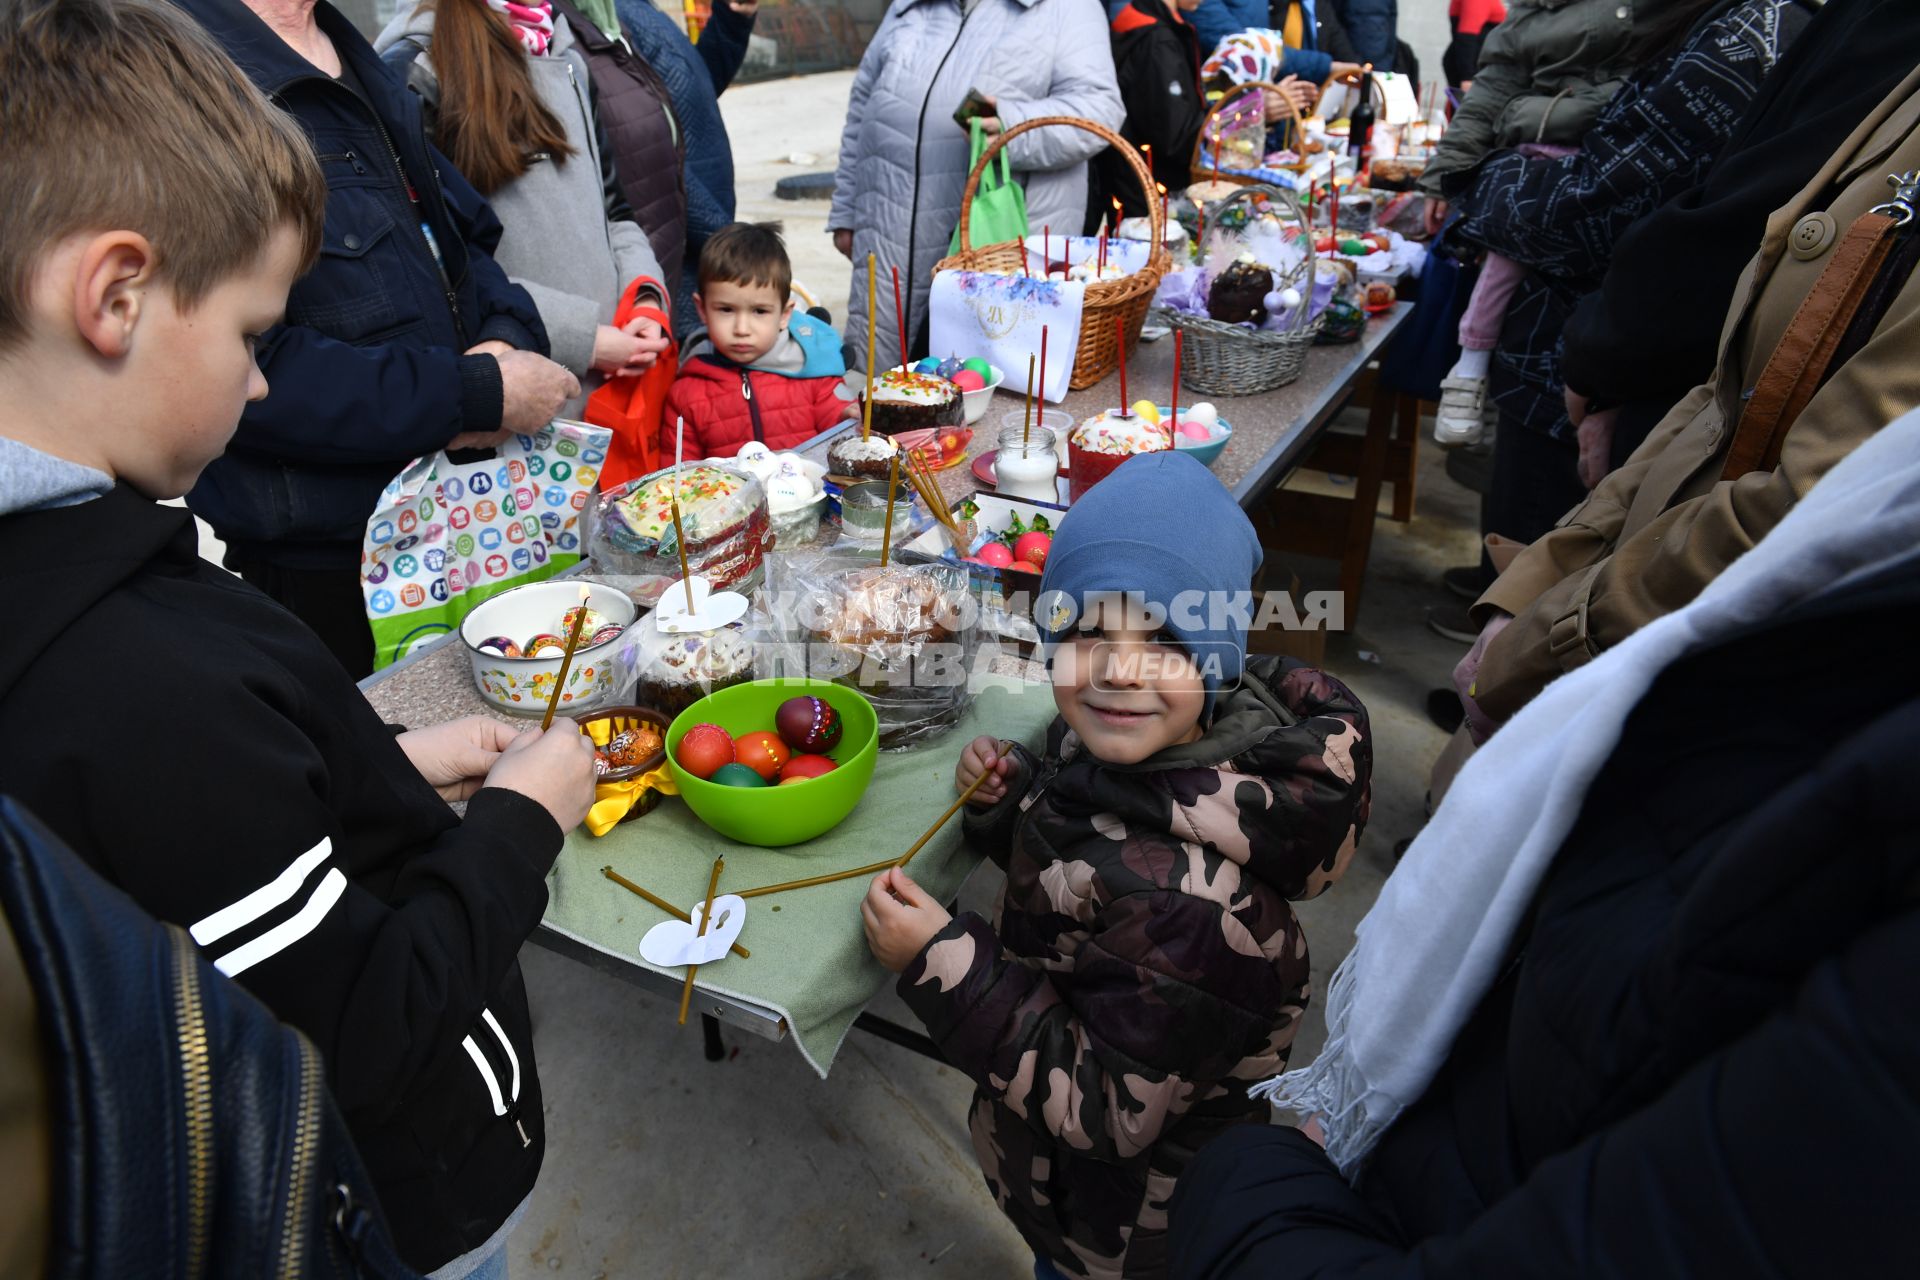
{"x": 696, "y": 76}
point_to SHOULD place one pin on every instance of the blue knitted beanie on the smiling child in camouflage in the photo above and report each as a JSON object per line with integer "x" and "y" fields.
{"x": 1164, "y": 533}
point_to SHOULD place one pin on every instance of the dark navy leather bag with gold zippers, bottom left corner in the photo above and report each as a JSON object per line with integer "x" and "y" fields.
{"x": 189, "y": 1131}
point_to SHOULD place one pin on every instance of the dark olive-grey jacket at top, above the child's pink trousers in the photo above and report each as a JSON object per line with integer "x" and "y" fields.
{"x": 1545, "y": 76}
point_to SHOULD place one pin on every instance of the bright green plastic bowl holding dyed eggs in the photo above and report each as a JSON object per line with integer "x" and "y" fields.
{"x": 777, "y": 817}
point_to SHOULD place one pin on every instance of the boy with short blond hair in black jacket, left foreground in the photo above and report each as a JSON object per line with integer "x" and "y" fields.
{"x": 180, "y": 730}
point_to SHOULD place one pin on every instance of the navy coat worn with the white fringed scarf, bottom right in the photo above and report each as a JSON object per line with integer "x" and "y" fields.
{"x": 1706, "y": 1055}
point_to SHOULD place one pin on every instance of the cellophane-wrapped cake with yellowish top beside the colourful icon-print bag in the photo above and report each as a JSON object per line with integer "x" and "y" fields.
{"x": 723, "y": 513}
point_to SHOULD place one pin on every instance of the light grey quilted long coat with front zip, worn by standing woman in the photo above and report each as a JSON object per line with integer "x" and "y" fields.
{"x": 903, "y": 160}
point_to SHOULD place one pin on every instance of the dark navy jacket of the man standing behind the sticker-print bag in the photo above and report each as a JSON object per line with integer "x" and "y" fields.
{"x": 368, "y": 371}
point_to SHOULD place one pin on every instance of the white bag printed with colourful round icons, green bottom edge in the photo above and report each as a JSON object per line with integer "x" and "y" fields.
{"x": 448, "y": 536}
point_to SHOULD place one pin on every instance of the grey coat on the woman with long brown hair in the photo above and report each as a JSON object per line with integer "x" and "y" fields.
{"x": 560, "y": 245}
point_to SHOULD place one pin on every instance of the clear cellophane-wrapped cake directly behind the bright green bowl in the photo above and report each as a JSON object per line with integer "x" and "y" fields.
{"x": 905, "y": 636}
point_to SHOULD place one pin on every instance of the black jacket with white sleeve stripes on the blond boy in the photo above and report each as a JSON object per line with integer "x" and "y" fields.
{"x": 204, "y": 751}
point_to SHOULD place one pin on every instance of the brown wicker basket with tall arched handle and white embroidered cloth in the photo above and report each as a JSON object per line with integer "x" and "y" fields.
{"x": 1113, "y": 308}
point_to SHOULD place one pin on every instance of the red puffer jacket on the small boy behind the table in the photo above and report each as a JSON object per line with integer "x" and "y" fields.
{"x": 727, "y": 406}
